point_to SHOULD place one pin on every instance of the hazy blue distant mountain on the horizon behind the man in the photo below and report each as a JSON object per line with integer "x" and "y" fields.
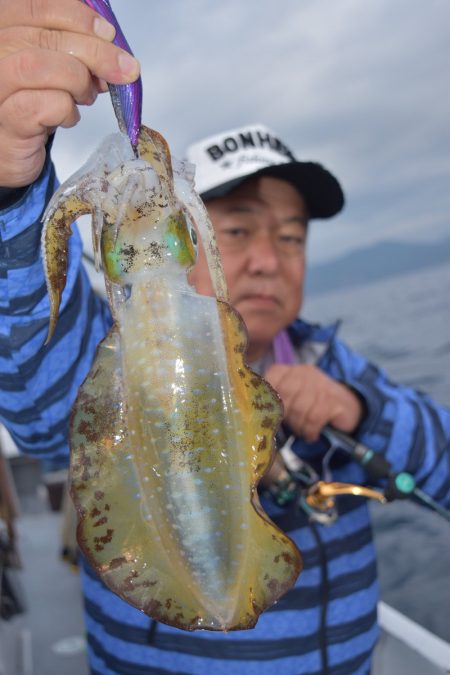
{"x": 386, "y": 259}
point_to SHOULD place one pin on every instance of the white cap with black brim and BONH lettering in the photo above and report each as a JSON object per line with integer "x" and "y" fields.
{"x": 225, "y": 160}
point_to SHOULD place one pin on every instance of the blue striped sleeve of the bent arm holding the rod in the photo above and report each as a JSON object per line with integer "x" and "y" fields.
{"x": 407, "y": 426}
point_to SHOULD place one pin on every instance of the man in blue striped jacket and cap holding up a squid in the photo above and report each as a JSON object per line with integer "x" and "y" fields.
{"x": 260, "y": 207}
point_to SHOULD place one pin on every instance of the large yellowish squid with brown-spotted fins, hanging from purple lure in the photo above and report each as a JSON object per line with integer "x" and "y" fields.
{"x": 171, "y": 431}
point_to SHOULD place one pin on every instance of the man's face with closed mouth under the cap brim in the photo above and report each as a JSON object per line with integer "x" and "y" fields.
{"x": 261, "y": 231}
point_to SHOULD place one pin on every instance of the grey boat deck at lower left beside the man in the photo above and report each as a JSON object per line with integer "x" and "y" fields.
{"x": 48, "y": 639}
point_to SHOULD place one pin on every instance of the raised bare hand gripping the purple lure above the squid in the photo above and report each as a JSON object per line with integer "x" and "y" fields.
{"x": 52, "y": 59}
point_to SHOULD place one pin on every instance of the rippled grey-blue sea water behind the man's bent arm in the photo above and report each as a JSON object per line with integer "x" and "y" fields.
{"x": 403, "y": 325}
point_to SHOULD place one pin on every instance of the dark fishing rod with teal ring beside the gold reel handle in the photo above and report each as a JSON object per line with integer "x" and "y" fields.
{"x": 400, "y": 485}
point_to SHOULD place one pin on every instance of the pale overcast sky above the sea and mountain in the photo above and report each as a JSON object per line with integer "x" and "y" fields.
{"x": 361, "y": 86}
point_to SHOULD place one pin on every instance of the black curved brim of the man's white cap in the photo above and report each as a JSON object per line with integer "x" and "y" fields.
{"x": 320, "y": 189}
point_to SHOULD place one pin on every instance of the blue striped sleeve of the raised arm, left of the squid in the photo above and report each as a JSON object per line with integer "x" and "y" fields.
{"x": 38, "y": 383}
